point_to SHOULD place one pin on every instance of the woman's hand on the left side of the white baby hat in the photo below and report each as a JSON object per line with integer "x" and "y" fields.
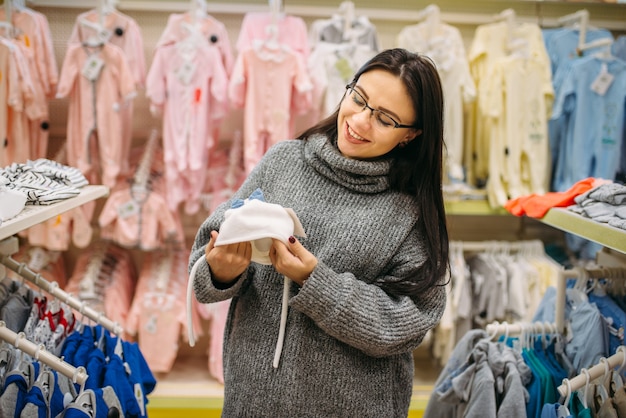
{"x": 227, "y": 262}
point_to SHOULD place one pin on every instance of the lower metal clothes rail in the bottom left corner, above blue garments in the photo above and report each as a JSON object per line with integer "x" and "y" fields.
{"x": 39, "y": 353}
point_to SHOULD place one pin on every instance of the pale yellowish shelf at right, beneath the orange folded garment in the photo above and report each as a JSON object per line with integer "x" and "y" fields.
{"x": 603, "y": 234}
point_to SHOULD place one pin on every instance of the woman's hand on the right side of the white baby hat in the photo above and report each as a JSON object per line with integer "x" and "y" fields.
{"x": 292, "y": 260}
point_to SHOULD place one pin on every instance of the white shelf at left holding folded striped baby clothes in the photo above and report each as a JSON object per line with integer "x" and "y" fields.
{"x": 32, "y": 214}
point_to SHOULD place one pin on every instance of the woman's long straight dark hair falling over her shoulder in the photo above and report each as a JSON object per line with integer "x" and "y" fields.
{"x": 418, "y": 166}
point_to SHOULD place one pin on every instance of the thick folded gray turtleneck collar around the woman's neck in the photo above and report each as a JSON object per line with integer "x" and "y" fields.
{"x": 363, "y": 176}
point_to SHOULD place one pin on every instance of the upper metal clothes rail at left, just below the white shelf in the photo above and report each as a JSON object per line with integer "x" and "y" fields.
{"x": 53, "y": 289}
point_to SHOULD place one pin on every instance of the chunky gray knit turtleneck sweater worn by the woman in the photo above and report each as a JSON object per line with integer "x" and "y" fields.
{"x": 348, "y": 345}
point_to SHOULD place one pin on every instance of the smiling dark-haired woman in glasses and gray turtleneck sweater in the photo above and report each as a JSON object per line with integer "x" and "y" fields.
{"x": 367, "y": 282}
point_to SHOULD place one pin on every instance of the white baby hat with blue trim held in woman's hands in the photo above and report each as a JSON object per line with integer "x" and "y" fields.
{"x": 258, "y": 221}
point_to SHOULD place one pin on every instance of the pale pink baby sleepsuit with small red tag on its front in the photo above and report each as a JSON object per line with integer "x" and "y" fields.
{"x": 188, "y": 81}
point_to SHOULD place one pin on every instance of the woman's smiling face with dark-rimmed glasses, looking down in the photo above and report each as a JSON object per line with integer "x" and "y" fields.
{"x": 363, "y": 133}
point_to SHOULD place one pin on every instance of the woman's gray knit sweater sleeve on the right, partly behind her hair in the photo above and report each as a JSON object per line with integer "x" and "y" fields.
{"x": 363, "y": 315}
